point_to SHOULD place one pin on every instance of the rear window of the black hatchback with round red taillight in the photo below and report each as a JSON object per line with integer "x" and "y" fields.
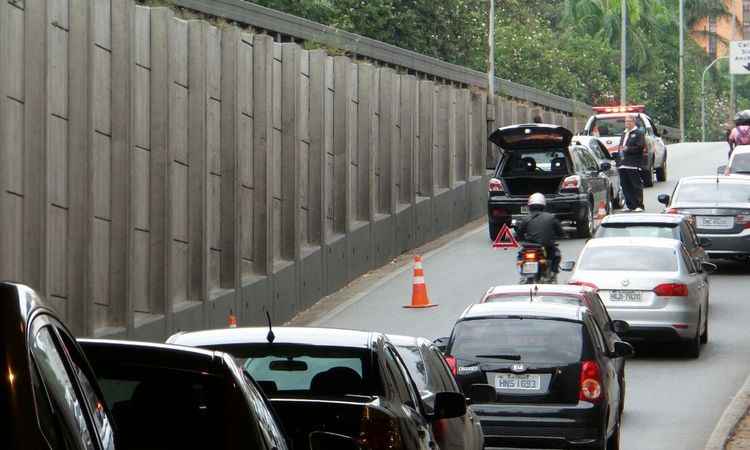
{"x": 514, "y": 339}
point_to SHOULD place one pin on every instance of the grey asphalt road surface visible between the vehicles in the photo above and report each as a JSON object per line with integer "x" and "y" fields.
{"x": 672, "y": 402}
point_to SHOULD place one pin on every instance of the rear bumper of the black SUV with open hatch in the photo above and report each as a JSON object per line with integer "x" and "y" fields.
{"x": 565, "y": 207}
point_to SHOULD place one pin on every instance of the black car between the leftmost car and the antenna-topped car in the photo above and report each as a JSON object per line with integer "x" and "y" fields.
{"x": 170, "y": 398}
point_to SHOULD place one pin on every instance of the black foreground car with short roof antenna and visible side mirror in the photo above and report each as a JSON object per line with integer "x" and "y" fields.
{"x": 349, "y": 383}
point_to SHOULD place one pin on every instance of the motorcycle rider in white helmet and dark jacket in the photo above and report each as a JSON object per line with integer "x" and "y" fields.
{"x": 541, "y": 228}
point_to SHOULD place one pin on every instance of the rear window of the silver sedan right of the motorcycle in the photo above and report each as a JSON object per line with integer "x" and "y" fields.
{"x": 629, "y": 258}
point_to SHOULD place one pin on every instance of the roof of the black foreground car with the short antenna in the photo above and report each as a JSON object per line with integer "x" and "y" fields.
{"x": 333, "y": 337}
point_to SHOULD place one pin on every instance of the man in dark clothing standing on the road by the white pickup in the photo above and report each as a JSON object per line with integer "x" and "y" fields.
{"x": 630, "y": 167}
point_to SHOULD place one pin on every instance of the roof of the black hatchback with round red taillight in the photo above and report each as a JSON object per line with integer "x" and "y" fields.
{"x": 544, "y": 310}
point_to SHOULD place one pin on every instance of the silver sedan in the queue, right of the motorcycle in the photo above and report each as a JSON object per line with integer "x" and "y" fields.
{"x": 650, "y": 283}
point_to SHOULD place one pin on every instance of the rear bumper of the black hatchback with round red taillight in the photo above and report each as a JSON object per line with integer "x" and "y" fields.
{"x": 541, "y": 426}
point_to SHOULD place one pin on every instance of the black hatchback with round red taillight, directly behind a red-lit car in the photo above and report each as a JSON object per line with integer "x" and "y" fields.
{"x": 555, "y": 377}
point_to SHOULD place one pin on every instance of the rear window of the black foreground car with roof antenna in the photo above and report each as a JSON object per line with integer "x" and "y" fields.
{"x": 307, "y": 369}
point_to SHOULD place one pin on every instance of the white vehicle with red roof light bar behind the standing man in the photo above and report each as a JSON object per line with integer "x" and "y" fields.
{"x": 608, "y": 124}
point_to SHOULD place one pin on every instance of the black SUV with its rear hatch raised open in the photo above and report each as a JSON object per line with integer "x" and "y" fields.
{"x": 540, "y": 158}
